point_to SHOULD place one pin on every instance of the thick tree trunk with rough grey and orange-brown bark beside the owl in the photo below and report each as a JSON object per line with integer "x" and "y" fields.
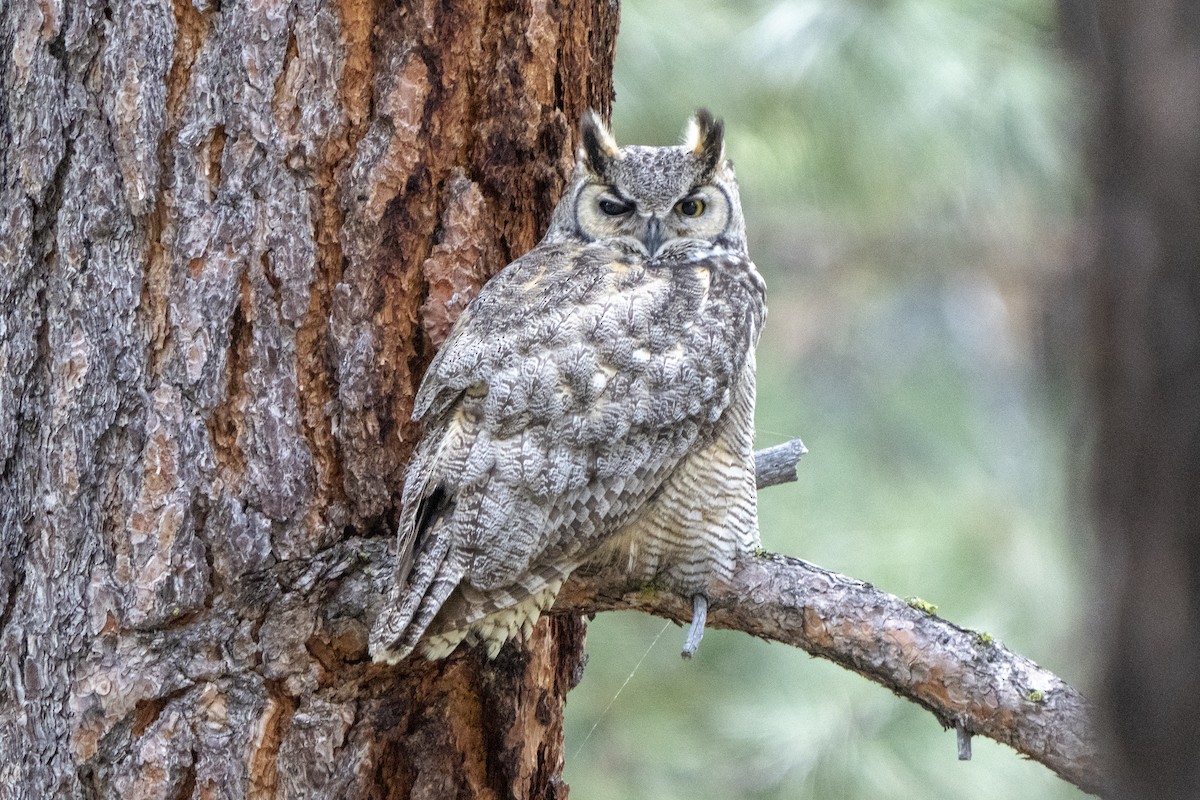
{"x": 232, "y": 234}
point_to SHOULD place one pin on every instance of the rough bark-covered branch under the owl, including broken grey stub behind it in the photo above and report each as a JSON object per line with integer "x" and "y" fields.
{"x": 970, "y": 682}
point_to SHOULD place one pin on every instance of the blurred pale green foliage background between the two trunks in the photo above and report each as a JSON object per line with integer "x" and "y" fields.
{"x": 911, "y": 178}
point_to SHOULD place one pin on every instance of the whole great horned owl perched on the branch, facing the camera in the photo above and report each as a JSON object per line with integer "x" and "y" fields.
{"x": 593, "y": 405}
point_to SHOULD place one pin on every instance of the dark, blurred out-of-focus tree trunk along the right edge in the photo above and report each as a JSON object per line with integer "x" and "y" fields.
{"x": 1144, "y": 383}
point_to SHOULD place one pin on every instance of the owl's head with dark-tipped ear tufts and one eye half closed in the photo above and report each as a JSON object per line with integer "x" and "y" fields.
{"x": 662, "y": 203}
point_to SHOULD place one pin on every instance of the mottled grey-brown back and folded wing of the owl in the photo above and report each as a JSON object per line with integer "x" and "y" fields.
{"x": 573, "y": 387}
